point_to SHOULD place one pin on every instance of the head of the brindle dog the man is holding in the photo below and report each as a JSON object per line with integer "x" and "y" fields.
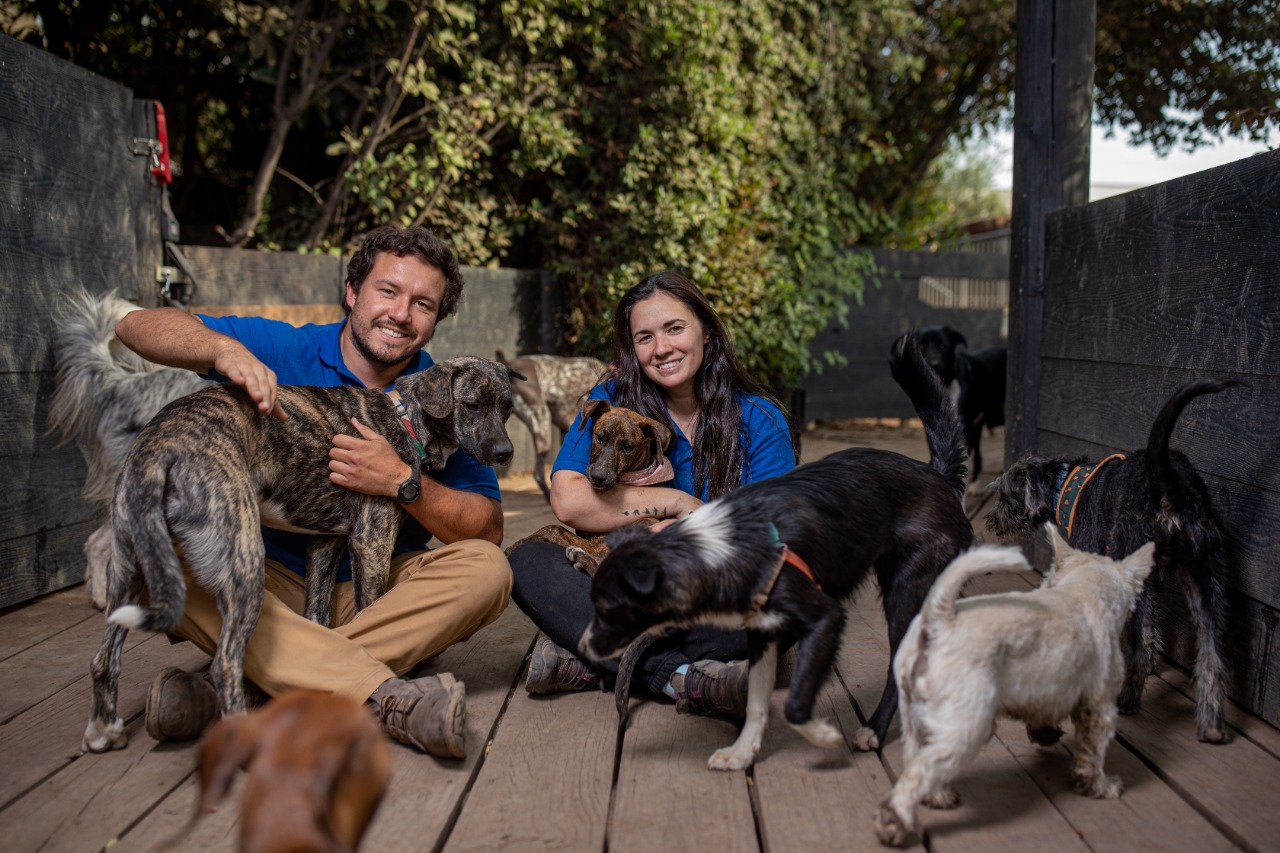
{"x": 476, "y": 396}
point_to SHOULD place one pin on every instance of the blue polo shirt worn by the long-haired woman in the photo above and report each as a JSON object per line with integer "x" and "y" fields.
{"x": 766, "y": 439}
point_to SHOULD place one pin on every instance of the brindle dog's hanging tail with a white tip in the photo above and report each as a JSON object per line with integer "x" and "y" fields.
{"x": 144, "y": 545}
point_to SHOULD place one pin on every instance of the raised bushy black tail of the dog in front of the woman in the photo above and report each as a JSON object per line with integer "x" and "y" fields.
{"x": 949, "y": 454}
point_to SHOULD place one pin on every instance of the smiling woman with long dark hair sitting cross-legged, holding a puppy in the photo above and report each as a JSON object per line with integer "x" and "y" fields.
{"x": 678, "y": 367}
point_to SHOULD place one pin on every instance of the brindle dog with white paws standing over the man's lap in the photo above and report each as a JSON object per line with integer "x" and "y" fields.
{"x": 209, "y": 469}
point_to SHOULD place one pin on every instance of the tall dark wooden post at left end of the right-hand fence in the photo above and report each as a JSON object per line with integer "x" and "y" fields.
{"x": 1053, "y": 116}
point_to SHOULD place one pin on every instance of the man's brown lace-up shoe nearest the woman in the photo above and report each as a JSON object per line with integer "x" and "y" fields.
{"x": 428, "y": 713}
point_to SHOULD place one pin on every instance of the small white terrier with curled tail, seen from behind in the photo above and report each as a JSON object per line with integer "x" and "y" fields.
{"x": 1039, "y": 656}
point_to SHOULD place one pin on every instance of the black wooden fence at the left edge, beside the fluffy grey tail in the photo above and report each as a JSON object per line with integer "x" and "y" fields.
{"x": 77, "y": 208}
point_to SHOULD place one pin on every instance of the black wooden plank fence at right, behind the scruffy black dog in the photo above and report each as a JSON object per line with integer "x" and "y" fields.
{"x": 1145, "y": 293}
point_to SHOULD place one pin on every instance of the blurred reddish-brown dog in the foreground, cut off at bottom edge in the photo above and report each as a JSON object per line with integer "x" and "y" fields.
{"x": 318, "y": 768}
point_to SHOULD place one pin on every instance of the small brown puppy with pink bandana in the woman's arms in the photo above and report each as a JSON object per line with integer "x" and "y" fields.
{"x": 627, "y": 448}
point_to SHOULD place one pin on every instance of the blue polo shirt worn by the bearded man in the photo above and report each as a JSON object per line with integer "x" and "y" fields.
{"x": 312, "y": 355}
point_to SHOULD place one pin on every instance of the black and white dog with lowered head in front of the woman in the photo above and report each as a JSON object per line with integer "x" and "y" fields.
{"x": 843, "y": 519}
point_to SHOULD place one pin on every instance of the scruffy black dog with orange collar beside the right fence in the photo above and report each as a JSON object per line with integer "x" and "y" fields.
{"x": 1113, "y": 508}
